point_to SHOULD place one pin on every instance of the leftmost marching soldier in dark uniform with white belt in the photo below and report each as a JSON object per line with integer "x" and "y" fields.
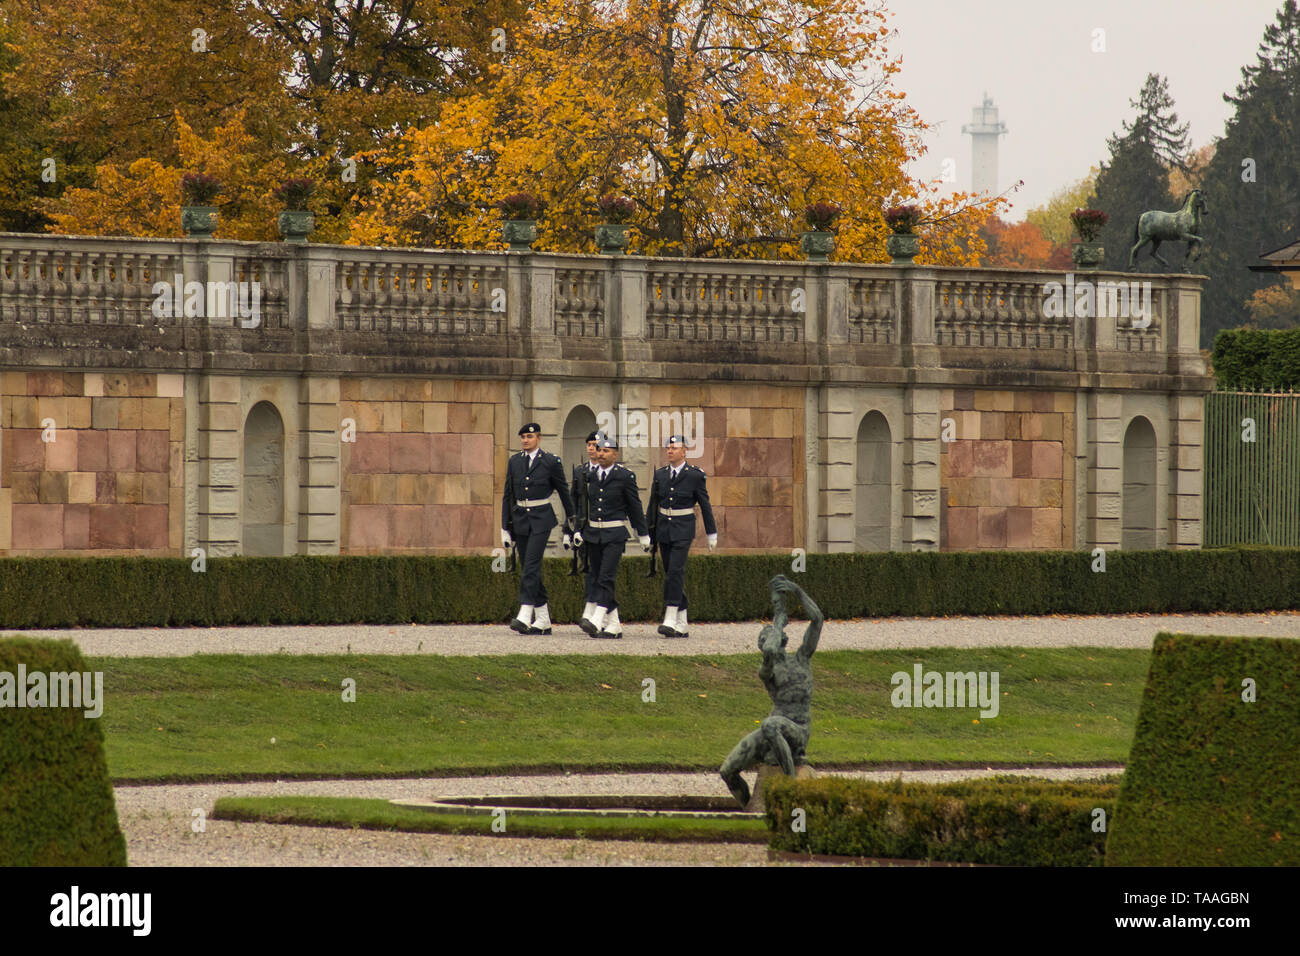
{"x": 527, "y": 513}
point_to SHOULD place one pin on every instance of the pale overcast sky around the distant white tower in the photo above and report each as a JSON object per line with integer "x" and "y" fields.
{"x": 1059, "y": 100}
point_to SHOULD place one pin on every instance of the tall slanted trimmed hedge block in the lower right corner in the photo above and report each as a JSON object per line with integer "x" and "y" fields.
{"x": 1214, "y": 780}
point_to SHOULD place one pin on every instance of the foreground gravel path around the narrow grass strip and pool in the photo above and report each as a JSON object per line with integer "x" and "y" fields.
{"x": 158, "y": 823}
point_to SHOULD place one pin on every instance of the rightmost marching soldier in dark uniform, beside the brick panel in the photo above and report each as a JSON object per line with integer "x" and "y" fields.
{"x": 675, "y": 491}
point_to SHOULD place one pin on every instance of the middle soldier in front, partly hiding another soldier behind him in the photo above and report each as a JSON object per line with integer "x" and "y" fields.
{"x": 612, "y": 499}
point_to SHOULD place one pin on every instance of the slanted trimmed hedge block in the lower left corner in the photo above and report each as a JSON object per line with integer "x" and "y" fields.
{"x": 57, "y": 801}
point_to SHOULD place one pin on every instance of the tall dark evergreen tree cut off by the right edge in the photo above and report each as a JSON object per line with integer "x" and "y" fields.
{"x": 1253, "y": 184}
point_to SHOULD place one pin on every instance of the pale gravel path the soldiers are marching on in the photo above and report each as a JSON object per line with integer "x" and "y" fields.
{"x": 1058, "y": 631}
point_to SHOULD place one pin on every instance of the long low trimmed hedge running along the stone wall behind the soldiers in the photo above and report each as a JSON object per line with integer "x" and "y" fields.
{"x": 330, "y": 590}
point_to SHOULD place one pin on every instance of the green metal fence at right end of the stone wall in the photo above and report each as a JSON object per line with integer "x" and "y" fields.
{"x": 1253, "y": 469}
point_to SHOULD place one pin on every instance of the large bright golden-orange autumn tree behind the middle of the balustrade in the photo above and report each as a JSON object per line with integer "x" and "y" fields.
{"x": 722, "y": 123}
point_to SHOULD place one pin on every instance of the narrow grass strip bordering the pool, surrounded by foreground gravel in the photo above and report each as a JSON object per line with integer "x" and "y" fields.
{"x": 380, "y": 815}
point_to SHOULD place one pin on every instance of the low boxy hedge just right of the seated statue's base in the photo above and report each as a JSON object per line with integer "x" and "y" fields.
{"x": 1006, "y": 821}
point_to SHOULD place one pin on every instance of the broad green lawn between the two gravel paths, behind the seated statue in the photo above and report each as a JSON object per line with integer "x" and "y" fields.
{"x": 232, "y": 717}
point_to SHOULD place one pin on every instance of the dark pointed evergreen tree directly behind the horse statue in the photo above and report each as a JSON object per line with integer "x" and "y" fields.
{"x": 1137, "y": 178}
